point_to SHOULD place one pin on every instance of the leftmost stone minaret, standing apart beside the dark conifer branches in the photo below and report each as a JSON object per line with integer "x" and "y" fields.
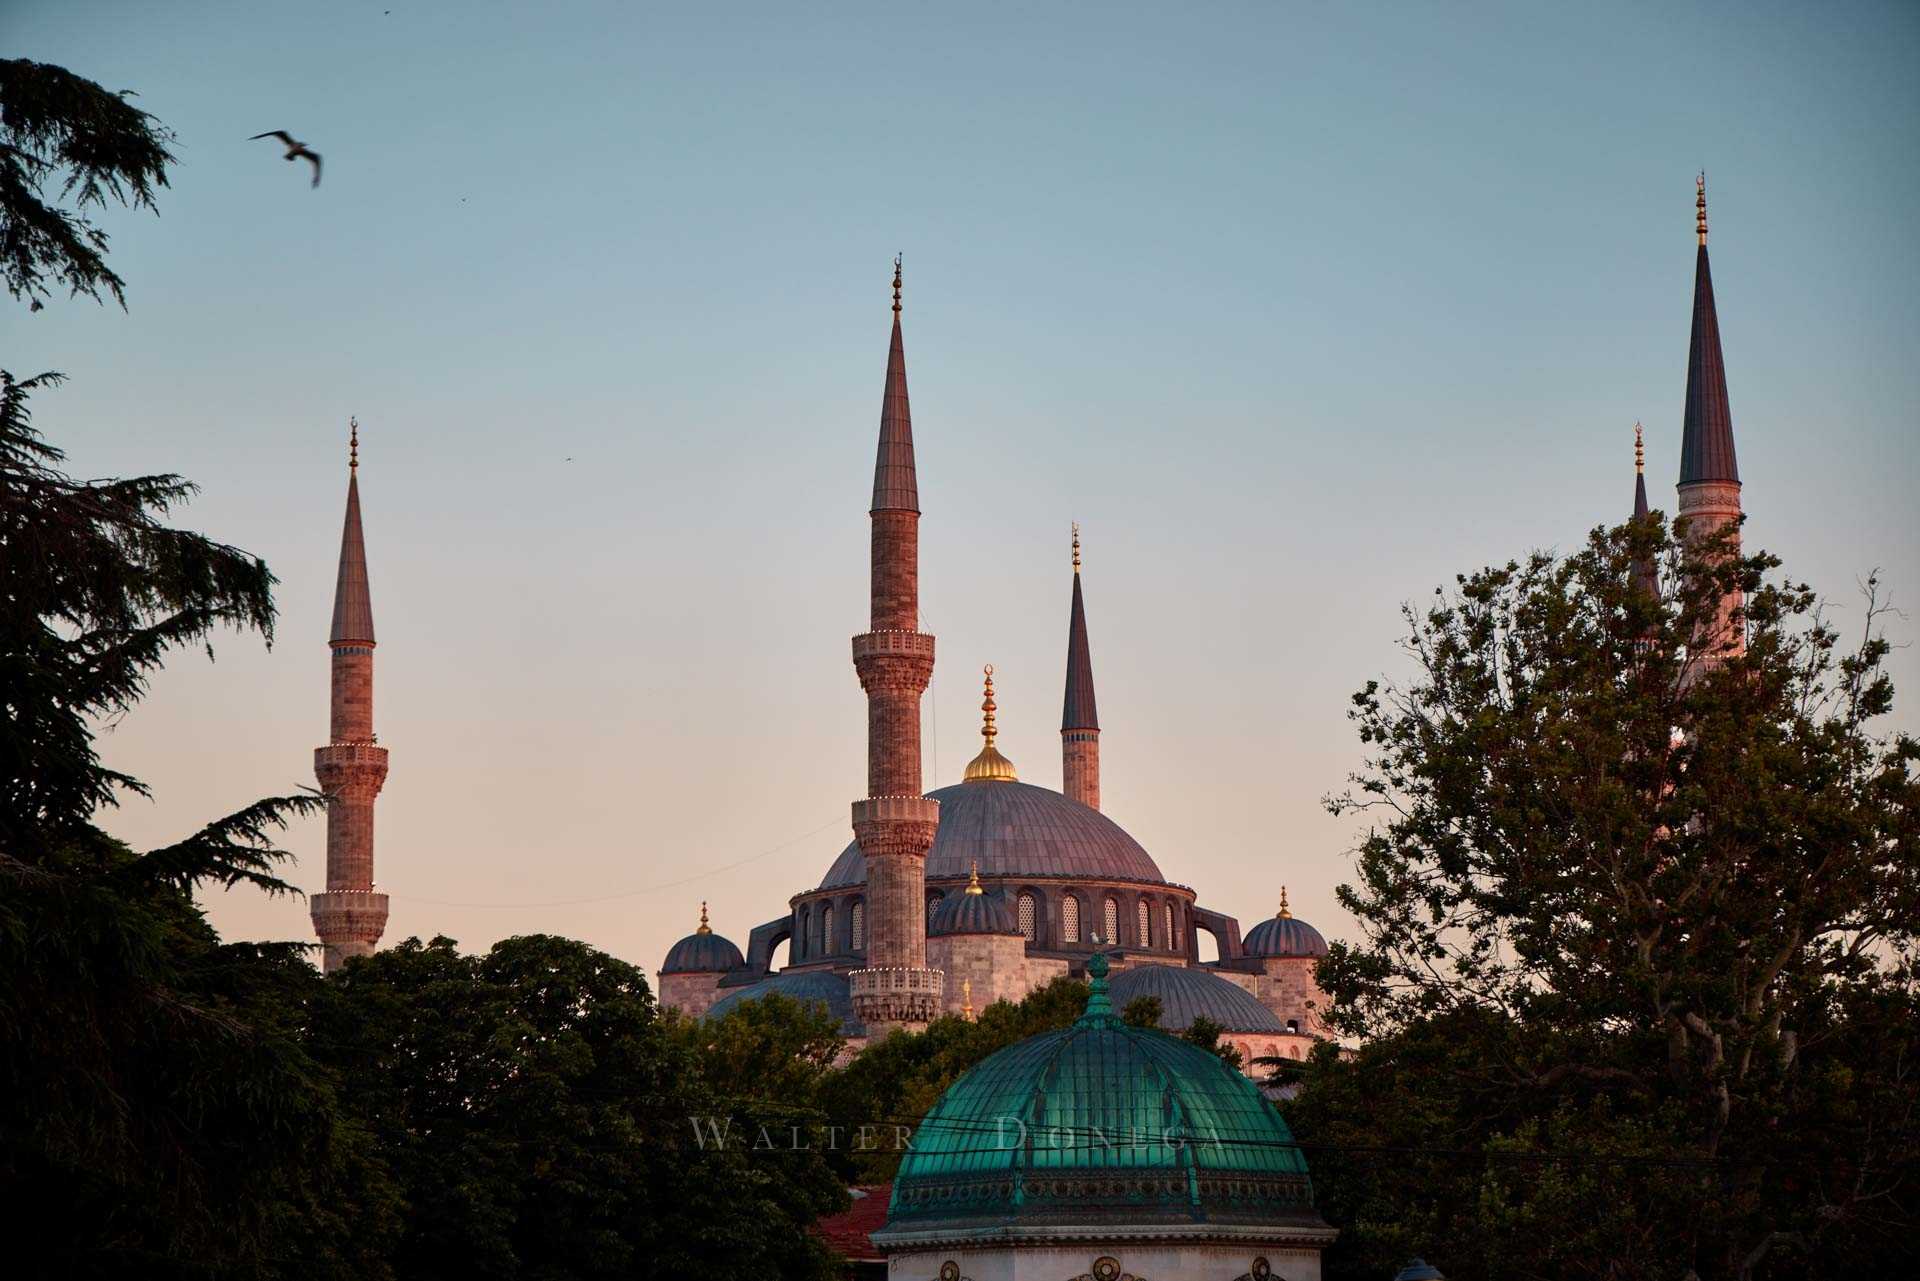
{"x": 350, "y": 917}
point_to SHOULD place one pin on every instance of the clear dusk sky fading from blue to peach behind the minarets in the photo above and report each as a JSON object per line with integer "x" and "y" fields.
{"x": 1299, "y": 310}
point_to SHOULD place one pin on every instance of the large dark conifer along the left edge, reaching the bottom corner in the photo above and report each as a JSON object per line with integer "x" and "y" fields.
{"x": 158, "y": 1115}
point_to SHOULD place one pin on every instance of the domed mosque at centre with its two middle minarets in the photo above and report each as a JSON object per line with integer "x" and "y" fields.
{"x": 984, "y": 890}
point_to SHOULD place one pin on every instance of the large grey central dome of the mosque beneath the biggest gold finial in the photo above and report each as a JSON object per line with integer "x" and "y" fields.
{"x": 1017, "y": 831}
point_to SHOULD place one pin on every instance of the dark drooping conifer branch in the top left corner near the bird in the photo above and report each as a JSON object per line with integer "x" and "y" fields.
{"x": 60, "y": 130}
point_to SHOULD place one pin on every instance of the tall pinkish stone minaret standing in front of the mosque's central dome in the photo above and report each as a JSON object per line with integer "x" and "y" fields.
{"x": 896, "y": 823}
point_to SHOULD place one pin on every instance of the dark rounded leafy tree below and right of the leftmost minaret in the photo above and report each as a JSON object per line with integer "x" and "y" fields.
{"x": 544, "y": 1121}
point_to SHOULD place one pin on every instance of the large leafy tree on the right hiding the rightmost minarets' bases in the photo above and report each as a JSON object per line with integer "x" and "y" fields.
{"x": 1637, "y": 931}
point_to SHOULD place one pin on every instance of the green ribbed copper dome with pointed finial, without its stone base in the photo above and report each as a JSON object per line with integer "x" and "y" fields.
{"x": 1101, "y": 1123}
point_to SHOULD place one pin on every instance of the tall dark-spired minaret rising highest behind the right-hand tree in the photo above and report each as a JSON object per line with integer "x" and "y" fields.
{"x": 1710, "y": 475}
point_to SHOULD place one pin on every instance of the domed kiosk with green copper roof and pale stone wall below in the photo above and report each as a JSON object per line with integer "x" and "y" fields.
{"x": 1103, "y": 1151}
